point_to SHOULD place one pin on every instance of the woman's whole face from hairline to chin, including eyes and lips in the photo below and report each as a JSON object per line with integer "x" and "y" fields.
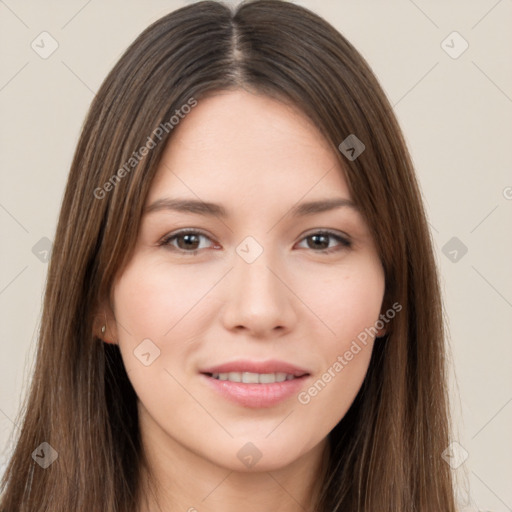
{"x": 259, "y": 289}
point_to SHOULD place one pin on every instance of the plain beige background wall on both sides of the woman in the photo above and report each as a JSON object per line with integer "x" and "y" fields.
{"x": 456, "y": 114}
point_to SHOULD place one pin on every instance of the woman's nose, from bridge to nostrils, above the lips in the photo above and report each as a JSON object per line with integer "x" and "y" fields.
{"x": 259, "y": 300}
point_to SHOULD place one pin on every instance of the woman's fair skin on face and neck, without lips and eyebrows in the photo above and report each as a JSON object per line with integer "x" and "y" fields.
{"x": 257, "y": 157}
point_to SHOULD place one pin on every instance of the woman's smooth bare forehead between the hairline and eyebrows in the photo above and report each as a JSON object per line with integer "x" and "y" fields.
{"x": 238, "y": 146}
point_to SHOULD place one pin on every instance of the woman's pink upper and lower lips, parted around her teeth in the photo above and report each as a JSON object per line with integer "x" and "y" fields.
{"x": 256, "y": 395}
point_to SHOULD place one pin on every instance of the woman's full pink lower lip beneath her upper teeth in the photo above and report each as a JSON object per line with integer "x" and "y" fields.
{"x": 256, "y": 395}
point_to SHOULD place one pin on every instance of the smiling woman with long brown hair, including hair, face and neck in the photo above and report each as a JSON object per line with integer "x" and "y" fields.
{"x": 242, "y": 307}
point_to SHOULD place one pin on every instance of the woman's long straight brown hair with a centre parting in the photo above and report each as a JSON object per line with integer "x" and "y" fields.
{"x": 385, "y": 454}
